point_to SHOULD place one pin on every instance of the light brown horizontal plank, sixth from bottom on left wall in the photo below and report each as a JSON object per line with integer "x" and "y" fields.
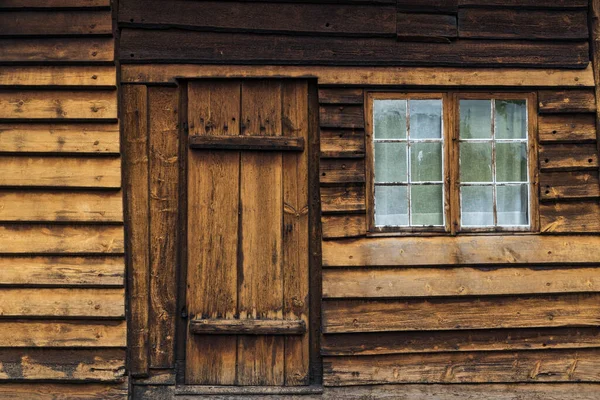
{"x": 59, "y": 239}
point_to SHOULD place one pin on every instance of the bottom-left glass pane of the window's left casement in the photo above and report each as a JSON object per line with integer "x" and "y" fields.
{"x": 391, "y": 206}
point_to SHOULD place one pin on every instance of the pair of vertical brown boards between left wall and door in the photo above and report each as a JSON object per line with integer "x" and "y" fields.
{"x": 151, "y": 182}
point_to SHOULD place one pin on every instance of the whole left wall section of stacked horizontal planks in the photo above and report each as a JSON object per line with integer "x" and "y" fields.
{"x": 62, "y": 294}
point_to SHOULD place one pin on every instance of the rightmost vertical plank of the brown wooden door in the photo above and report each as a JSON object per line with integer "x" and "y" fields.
{"x": 295, "y": 231}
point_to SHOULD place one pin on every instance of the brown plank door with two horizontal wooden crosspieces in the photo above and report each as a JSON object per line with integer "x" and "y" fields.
{"x": 247, "y": 233}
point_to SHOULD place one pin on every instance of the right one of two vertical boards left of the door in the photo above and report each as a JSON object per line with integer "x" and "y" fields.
{"x": 164, "y": 187}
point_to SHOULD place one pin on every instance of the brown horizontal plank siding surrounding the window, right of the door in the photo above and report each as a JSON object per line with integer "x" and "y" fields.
{"x": 466, "y": 309}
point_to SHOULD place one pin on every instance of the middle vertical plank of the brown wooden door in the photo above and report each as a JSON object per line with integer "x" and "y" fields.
{"x": 261, "y": 359}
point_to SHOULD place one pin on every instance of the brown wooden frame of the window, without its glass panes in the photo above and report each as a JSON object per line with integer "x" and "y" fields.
{"x": 451, "y": 166}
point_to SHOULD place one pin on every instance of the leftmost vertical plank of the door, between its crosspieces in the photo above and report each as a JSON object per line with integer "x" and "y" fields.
{"x": 213, "y": 190}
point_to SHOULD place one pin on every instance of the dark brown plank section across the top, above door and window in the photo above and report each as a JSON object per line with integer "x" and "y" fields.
{"x": 369, "y": 32}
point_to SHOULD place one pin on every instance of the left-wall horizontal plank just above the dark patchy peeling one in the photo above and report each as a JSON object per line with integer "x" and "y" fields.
{"x": 63, "y": 334}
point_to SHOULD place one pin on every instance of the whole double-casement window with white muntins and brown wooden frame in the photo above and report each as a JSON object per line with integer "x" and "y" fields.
{"x": 450, "y": 162}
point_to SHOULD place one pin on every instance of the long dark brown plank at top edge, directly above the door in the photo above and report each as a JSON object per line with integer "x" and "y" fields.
{"x": 283, "y": 17}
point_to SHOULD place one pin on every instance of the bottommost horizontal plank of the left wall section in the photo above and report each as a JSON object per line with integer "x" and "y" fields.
{"x": 48, "y": 391}
